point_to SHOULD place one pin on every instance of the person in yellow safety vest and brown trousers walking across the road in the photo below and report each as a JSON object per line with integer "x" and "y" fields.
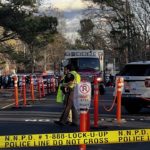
{"x": 71, "y": 79}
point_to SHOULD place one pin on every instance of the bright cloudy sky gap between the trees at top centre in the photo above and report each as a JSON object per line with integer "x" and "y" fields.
{"x": 72, "y": 9}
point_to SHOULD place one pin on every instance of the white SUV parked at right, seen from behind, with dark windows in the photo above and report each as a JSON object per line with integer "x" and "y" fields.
{"x": 136, "y": 90}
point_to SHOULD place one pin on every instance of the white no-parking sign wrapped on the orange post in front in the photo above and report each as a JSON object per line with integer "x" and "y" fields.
{"x": 82, "y": 96}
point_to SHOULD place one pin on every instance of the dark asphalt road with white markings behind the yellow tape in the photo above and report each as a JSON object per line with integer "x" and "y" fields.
{"x": 38, "y": 118}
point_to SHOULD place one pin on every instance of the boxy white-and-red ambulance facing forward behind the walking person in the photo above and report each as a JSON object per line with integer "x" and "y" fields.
{"x": 89, "y": 64}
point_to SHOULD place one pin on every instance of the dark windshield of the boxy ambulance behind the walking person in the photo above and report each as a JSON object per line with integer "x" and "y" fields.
{"x": 86, "y": 63}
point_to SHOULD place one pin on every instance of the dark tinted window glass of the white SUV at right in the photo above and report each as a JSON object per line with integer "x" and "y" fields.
{"x": 136, "y": 70}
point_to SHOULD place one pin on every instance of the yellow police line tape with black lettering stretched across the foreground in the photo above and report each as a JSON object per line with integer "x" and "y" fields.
{"x": 75, "y": 138}
